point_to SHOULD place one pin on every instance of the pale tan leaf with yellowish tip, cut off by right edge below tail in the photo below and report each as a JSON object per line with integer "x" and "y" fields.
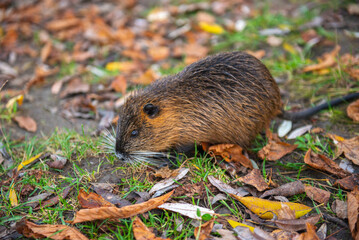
{"x": 350, "y": 147}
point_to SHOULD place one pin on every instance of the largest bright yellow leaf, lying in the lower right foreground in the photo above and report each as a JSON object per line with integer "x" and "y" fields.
{"x": 265, "y": 208}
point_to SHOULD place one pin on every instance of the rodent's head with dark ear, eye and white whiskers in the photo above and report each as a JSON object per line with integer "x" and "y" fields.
{"x": 143, "y": 128}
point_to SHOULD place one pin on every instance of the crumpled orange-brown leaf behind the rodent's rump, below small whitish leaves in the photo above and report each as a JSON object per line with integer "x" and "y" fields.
{"x": 275, "y": 150}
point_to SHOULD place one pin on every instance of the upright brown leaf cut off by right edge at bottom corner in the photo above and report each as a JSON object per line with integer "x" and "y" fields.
{"x": 353, "y": 212}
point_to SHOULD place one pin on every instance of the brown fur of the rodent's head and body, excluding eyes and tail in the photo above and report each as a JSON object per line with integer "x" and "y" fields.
{"x": 225, "y": 98}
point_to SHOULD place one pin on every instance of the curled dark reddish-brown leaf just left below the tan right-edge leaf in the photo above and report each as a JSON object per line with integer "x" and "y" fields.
{"x": 321, "y": 162}
